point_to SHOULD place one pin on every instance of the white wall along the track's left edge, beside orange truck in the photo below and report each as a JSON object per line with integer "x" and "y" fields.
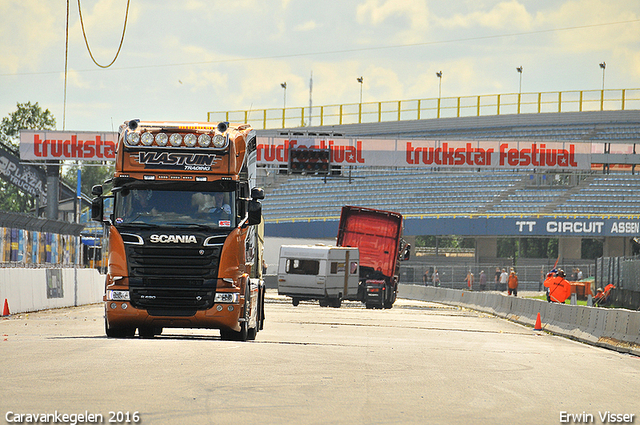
{"x": 39, "y": 289}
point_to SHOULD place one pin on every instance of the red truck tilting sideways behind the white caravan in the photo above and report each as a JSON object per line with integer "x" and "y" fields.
{"x": 378, "y": 236}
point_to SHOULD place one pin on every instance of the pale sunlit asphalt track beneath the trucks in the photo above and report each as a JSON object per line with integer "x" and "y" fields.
{"x": 418, "y": 363}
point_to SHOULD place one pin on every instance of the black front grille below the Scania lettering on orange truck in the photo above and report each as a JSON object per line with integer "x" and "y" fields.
{"x": 173, "y": 280}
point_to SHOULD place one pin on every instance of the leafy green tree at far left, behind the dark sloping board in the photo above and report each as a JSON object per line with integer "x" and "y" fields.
{"x": 27, "y": 117}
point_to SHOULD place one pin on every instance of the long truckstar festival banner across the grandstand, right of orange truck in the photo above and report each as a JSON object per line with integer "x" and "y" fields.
{"x": 434, "y": 153}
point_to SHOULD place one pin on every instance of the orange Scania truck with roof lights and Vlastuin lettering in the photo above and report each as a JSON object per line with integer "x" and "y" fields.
{"x": 184, "y": 230}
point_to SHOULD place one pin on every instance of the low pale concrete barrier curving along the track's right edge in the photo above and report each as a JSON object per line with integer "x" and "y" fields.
{"x": 616, "y": 329}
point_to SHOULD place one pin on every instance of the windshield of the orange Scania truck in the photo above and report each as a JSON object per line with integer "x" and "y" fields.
{"x": 175, "y": 208}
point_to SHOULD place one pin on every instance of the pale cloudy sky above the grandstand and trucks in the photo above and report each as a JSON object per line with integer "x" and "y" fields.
{"x": 182, "y": 59}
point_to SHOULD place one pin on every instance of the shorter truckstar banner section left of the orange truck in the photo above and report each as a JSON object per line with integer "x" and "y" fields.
{"x": 64, "y": 145}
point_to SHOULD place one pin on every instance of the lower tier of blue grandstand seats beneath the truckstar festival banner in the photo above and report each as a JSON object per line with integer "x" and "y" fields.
{"x": 419, "y": 192}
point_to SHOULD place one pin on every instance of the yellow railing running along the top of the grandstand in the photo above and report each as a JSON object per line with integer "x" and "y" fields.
{"x": 446, "y": 107}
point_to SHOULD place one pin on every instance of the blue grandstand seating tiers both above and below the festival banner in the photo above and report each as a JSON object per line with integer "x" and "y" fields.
{"x": 413, "y": 191}
